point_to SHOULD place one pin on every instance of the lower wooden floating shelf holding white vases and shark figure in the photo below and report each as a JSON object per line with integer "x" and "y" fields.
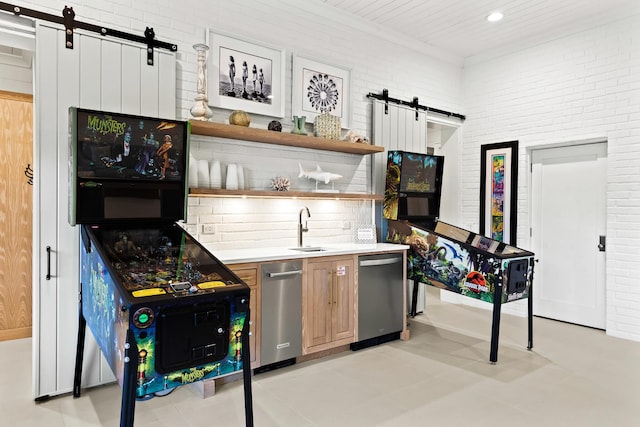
{"x": 209, "y": 192}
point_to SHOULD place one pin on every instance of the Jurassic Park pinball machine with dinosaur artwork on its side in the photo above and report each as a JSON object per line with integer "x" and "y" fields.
{"x": 445, "y": 256}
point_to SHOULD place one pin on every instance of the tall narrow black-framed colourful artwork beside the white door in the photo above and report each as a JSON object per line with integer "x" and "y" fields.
{"x": 499, "y": 191}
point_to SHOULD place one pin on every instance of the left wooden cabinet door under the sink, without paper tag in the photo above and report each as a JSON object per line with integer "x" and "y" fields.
{"x": 318, "y": 304}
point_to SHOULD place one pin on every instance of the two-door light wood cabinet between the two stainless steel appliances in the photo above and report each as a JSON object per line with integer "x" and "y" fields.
{"x": 329, "y": 303}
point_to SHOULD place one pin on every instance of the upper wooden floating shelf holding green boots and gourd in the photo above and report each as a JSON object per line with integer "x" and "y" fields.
{"x": 243, "y": 133}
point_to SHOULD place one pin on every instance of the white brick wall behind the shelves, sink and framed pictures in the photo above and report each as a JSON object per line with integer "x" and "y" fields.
{"x": 299, "y": 28}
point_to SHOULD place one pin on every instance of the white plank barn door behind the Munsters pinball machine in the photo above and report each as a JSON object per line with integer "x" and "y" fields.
{"x": 102, "y": 74}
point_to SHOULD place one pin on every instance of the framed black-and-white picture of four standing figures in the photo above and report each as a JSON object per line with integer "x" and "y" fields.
{"x": 244, "y": 75}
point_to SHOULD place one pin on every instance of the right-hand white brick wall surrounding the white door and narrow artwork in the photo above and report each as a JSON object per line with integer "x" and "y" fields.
{"x": 575, "y": 88}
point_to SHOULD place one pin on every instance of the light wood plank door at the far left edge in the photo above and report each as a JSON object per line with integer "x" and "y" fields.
{"x": 16, "y": 193}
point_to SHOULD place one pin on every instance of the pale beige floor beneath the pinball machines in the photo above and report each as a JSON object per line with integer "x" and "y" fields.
{"x": 574, "y": 376}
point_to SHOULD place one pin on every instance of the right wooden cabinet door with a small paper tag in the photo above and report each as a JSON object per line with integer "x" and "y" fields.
{"x": 343, "y": 316}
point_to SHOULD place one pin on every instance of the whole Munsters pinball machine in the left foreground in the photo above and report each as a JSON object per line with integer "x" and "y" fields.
{"x": 163, "y": 310}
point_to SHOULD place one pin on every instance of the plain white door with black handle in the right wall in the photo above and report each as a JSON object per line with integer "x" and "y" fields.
{"x": 568, "y": 218}
